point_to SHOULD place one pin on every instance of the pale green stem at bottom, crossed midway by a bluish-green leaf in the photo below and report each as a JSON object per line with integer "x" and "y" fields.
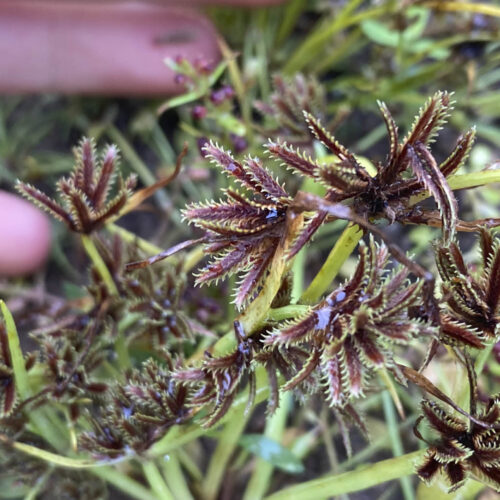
{"x": 261, "y": 475}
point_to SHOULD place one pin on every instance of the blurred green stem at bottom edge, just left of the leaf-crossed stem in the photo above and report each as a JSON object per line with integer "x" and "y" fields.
{"x": 227, "y": 442}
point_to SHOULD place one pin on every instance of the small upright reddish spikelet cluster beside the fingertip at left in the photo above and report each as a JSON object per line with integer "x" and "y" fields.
{"x": 85, "y": 203}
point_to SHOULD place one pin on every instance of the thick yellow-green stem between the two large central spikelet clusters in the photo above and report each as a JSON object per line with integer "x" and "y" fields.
{"x": 338, "y": 255}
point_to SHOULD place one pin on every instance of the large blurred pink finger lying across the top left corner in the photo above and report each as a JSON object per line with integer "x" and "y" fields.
{"x": 114, "y": 48}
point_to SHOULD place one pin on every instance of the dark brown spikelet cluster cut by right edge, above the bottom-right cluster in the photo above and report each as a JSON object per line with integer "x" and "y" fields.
{"x": 471, "y": 316}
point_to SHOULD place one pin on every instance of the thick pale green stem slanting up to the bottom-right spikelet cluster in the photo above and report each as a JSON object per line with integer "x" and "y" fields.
{"x": 357, "y": 480}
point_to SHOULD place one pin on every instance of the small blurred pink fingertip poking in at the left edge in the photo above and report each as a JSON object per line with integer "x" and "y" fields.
{"x": 25, "y": 236}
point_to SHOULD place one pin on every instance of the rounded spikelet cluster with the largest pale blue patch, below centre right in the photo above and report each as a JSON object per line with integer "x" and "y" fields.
{"x": 353, "y": 331}
